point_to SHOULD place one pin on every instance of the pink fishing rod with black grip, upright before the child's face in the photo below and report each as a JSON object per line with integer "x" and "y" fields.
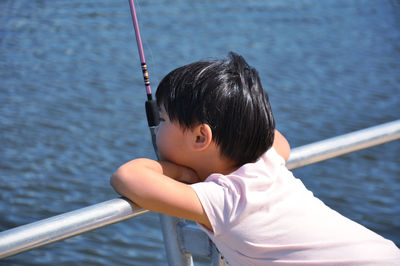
{"x": 152, "y": 114}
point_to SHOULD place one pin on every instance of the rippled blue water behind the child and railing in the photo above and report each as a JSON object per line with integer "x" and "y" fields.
{"x": 71, "y": 104}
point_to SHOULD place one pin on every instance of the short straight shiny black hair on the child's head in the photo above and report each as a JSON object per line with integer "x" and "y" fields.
{"x": 228, "y": 96}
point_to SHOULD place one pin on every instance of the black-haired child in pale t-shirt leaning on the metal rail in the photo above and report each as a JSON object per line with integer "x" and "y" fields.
{"x": 223, "y": 166}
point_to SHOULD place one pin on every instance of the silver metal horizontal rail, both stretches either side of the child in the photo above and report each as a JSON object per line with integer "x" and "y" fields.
{"x": 40, "y": 233}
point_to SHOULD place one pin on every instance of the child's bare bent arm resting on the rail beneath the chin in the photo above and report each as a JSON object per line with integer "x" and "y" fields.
{"x": 157, "y": 186}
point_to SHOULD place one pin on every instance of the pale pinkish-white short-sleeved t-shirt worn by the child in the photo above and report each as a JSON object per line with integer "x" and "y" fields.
{"x": 262, "y": 215}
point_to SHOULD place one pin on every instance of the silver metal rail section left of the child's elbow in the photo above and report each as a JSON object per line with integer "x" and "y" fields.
{"x": 47, "y": 231}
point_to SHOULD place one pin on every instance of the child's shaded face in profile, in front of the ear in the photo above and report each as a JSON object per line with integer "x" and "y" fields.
{"x": 172, "y": 140}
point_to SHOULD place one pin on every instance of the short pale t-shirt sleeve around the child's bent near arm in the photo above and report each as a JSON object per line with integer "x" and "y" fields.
{"x": 214, "y": 199}
